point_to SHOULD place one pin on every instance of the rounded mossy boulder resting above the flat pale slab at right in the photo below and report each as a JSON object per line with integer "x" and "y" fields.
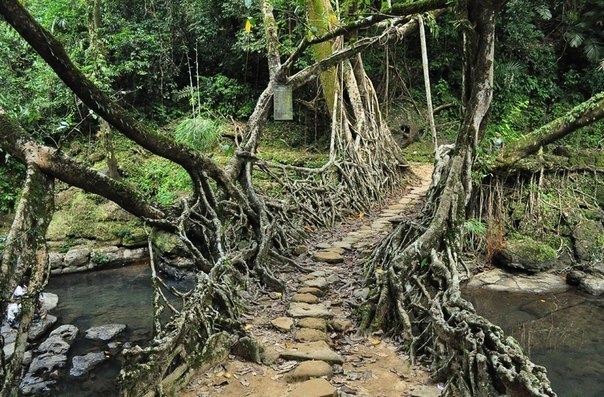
{"x": 526, "y": 254}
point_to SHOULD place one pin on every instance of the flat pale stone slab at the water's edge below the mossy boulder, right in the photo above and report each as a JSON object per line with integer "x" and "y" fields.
{"x": 499, "y": 280}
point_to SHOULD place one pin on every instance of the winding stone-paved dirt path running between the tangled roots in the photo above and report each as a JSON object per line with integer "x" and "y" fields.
{"x": 311, "y": 349}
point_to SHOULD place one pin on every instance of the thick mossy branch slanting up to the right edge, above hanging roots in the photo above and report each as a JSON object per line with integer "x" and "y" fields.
{"x": 584, "y": 114}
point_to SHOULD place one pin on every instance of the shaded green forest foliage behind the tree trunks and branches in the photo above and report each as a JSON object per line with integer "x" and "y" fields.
{"x": 195, "y": 69}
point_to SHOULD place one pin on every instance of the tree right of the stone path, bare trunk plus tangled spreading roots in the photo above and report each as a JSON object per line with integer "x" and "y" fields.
{"x": 415, "y": 273}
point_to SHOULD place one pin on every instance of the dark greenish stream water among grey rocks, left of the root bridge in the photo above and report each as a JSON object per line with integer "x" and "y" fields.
{"x": 122, "y": 295}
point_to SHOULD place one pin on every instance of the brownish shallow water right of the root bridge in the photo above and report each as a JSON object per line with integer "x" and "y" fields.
{"x": 563, "y": 332}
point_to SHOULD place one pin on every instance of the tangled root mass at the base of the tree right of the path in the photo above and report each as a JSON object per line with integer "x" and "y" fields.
{"x": 415, "y": 273}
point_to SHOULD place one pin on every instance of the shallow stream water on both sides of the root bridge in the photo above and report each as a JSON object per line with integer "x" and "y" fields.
{"x": 562, "y": 331}
